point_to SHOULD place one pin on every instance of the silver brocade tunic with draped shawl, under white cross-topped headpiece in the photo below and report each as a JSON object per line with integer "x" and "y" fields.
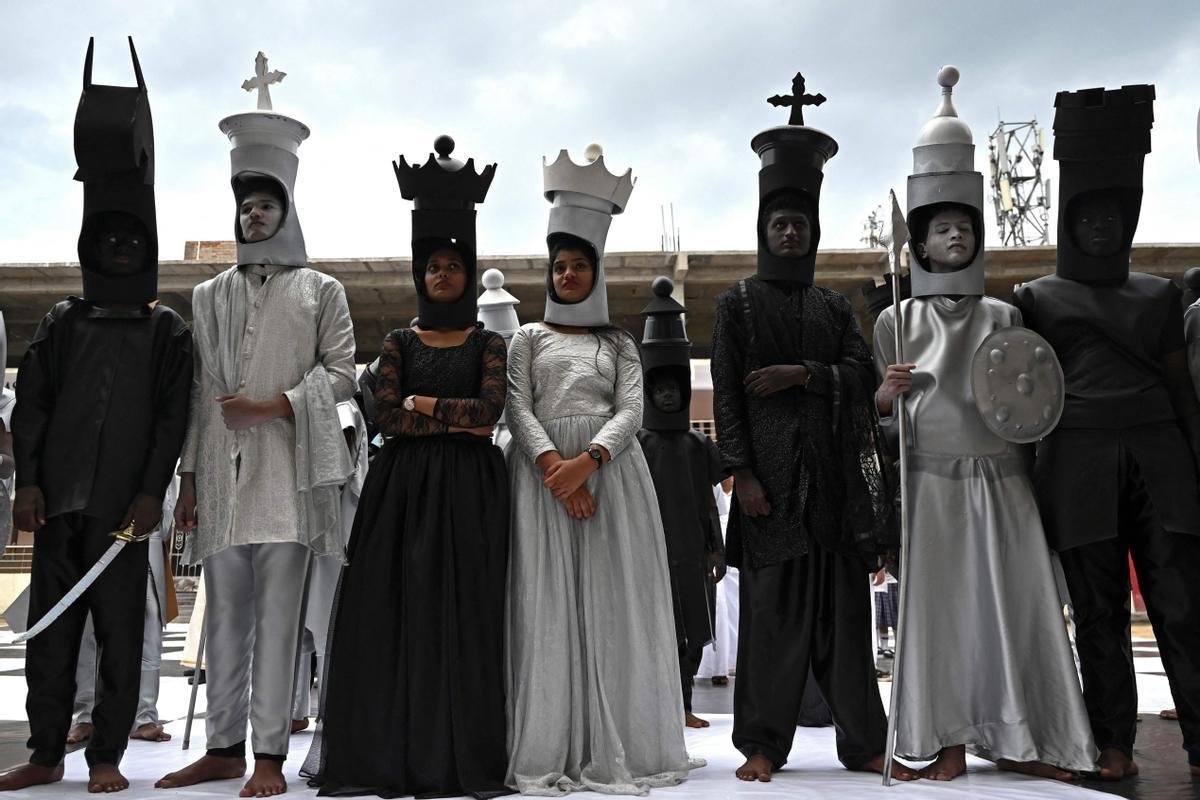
{"x": 290, "y": 335}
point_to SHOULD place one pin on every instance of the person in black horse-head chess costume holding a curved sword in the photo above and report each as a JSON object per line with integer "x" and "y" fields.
{"x": 98, "y": 430}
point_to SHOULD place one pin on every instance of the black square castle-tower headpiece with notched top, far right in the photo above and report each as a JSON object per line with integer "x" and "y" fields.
{"x": 1101, "y": 140}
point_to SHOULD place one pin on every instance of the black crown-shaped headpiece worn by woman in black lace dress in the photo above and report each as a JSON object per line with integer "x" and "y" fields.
{"x": 445, "y": 193}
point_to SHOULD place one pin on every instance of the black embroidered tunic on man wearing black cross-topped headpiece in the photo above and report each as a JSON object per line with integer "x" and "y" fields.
{"x": 788, "y": 440}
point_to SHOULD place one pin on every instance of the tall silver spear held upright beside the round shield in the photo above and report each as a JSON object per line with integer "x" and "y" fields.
{"x": 895, "y": 237}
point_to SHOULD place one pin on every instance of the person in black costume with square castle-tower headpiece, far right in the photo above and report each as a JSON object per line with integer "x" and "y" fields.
{"x": 1118, "y": 478}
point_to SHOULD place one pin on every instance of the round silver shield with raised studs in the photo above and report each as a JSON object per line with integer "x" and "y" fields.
{"x": 1018, "y": 386}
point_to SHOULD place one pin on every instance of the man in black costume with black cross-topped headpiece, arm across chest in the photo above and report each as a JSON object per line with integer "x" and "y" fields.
{"x": 790, "y": 371}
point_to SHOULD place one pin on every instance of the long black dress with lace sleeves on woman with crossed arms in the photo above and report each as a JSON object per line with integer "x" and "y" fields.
{"x": 415, "y": 695}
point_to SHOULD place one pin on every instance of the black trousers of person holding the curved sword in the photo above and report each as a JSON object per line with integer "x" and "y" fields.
{"x": 64, "y": 551}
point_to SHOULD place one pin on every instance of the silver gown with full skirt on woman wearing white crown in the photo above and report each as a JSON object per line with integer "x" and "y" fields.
{"x": 592, "y": 670}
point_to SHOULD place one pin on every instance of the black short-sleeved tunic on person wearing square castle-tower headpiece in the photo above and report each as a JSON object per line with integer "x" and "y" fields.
{"x": 1112, "y": 341}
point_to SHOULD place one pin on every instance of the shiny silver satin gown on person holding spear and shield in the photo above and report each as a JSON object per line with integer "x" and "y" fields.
{"x": 986, "y": 660}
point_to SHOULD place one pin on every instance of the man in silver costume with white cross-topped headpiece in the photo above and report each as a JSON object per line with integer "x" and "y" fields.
{"x": 265, "y": 459}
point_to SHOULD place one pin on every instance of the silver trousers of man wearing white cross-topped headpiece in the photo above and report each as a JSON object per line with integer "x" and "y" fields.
{"x": 255, "y": 596}
